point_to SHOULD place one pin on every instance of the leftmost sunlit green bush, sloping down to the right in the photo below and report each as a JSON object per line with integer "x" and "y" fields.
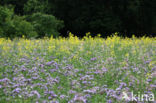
{"x": 14, "y": 26}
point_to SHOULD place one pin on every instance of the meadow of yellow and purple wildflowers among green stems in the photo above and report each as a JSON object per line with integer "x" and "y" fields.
{"x": 73, "y": 70}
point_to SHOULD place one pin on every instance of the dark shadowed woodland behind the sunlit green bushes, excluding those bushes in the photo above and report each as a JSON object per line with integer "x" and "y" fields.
{"x": 102, "y": 16}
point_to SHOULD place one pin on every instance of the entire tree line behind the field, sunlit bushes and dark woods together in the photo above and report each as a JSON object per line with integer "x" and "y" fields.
{"x": 39, "y": 18}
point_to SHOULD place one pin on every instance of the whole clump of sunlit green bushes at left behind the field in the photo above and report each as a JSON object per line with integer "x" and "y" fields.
{"x": 35, "y": 25}
